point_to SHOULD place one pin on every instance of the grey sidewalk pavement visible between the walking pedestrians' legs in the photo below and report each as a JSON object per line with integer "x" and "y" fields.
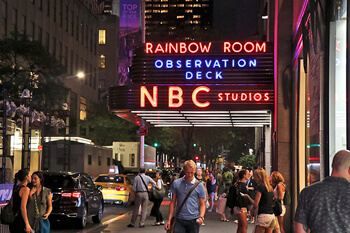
{"x": 212, "y": 223}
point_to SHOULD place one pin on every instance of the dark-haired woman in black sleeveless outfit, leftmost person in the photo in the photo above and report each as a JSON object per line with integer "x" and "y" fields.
{"x": 20, "y": 196}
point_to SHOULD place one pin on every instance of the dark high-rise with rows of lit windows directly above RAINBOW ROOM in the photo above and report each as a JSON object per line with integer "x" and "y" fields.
{"x": 170, "y": 19}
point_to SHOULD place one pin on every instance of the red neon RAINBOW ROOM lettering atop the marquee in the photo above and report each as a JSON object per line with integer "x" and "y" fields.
{"x": 207, "y": 48}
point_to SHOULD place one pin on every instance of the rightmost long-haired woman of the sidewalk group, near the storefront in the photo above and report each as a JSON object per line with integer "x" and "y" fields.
{"x": 278, "y": 193}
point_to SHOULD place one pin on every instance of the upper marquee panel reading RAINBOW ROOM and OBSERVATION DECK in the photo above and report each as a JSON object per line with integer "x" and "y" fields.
{"x": 211, "y": 62}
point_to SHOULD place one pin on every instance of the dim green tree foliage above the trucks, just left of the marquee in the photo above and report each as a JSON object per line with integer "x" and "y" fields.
{"x": 103, "y": 128}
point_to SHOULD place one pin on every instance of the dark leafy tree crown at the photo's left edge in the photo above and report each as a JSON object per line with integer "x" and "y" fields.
{"x": 25, "y": 64}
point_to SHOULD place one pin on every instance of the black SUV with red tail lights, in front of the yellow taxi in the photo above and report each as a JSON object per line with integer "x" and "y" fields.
{"x": 74, "y": 196}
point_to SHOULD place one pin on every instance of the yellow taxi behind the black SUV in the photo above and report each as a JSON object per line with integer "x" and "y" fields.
{"x": 116, "y": 189}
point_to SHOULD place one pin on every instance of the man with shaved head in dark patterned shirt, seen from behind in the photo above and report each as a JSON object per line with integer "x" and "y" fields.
{"x": 323, "y": 207}
